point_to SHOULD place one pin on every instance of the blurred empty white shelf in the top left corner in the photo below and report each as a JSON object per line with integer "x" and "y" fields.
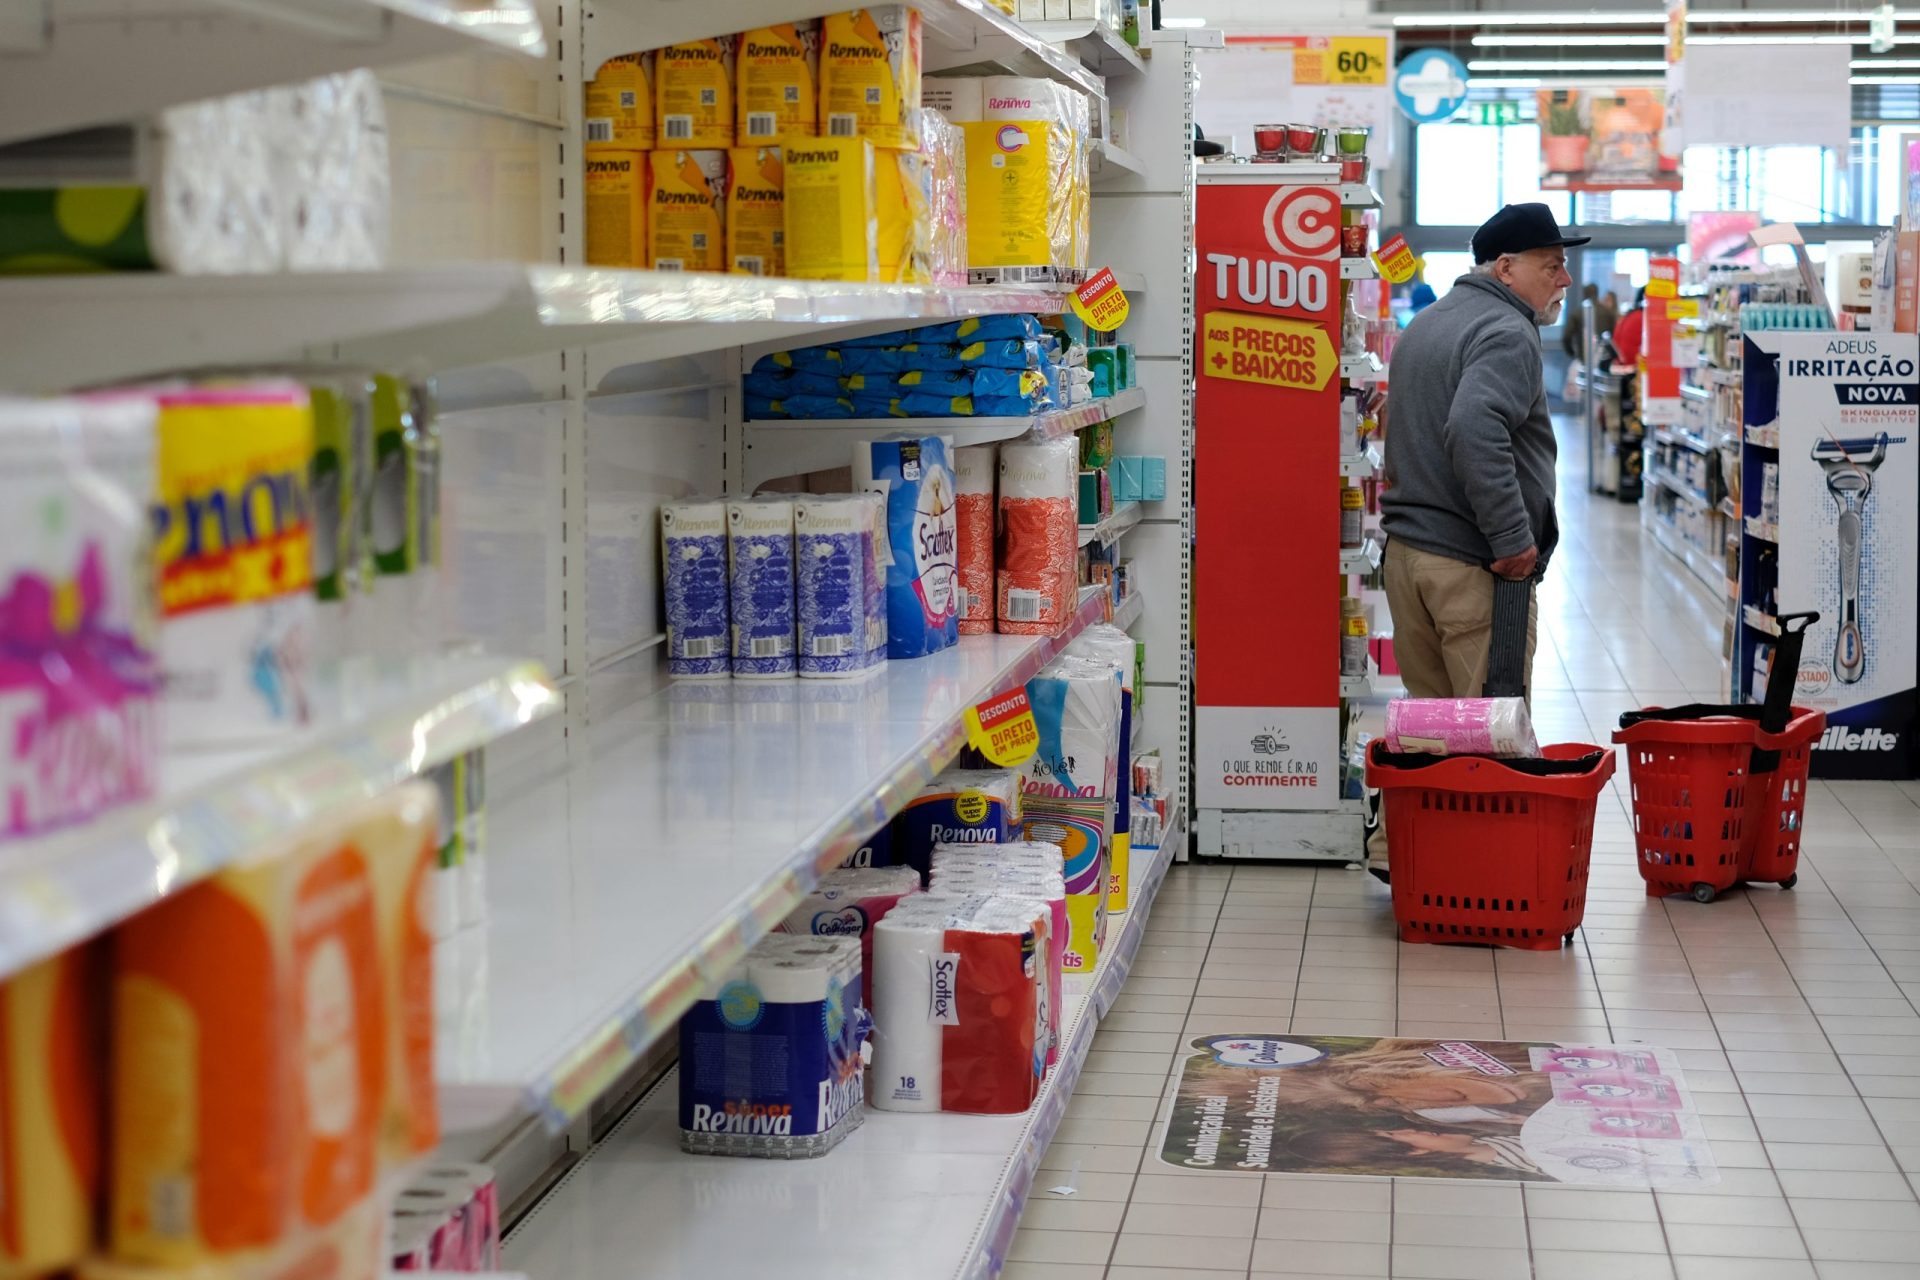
{"x": 97, "y": 64}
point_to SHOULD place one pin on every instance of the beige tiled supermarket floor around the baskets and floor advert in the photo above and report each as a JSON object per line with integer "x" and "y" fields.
{"x": 1794, "y": 1016}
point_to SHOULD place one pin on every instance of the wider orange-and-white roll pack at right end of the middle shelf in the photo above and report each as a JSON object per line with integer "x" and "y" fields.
{"x": 1036, "y": 582}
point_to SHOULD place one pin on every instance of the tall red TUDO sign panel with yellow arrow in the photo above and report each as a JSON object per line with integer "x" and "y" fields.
{"x": 1266, "y": 605}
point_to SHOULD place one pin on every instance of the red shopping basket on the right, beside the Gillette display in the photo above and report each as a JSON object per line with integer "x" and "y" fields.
{"x": 1704, "y": 818}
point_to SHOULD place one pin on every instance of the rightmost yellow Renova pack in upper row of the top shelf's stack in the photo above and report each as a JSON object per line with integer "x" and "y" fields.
{"x": 871, "y": 76}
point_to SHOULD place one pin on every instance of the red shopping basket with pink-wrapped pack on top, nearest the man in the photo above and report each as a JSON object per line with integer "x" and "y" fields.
{"x": 1485, "y": 853}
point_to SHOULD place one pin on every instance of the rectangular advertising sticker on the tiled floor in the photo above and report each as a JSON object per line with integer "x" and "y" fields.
{"x": 1616, "y": 1116}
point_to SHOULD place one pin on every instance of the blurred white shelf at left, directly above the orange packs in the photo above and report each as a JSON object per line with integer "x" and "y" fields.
{"x": 385, "y": 724}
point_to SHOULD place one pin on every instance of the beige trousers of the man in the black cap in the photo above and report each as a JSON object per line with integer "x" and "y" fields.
{"x": 1443, "y": 630}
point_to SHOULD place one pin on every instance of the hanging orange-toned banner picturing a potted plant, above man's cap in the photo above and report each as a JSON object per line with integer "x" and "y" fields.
{"x": 1604, "y": 141}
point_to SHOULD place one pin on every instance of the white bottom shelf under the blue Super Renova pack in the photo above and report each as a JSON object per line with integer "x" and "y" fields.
{"x": 928, "y": 1197}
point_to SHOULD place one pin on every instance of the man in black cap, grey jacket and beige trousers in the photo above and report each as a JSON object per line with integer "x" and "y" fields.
{"x": 1470, "y": 458}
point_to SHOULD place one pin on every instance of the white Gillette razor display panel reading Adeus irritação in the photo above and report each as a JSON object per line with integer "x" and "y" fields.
{"x": 1848, "y": 481}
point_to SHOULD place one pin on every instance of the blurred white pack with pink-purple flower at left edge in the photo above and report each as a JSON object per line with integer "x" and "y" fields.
{"x": 80, "y": 680}
